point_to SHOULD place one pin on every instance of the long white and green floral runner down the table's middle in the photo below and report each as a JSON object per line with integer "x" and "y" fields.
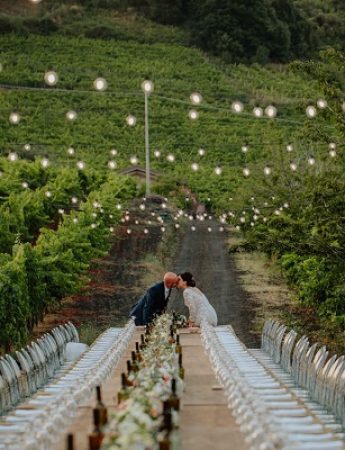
{"x": 138, "y": 423}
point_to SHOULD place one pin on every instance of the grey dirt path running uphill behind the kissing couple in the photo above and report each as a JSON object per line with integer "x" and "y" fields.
{"x": 205, "y": 254}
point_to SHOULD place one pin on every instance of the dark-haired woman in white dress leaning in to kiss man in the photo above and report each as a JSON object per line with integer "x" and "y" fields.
{"x": 197, "y": 302}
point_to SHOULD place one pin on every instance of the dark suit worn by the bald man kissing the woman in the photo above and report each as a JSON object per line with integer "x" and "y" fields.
{"x": 153, "y": 302}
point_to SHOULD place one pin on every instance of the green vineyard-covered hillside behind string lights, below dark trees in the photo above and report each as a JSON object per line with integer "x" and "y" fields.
{"x": 101, "y": 123}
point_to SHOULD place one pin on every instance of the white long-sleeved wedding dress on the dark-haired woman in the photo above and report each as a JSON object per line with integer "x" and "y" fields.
{"x": 199, "y": 307}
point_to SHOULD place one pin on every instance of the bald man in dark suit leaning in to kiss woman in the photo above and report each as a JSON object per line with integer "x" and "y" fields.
{"x": 154, "y": 301}
